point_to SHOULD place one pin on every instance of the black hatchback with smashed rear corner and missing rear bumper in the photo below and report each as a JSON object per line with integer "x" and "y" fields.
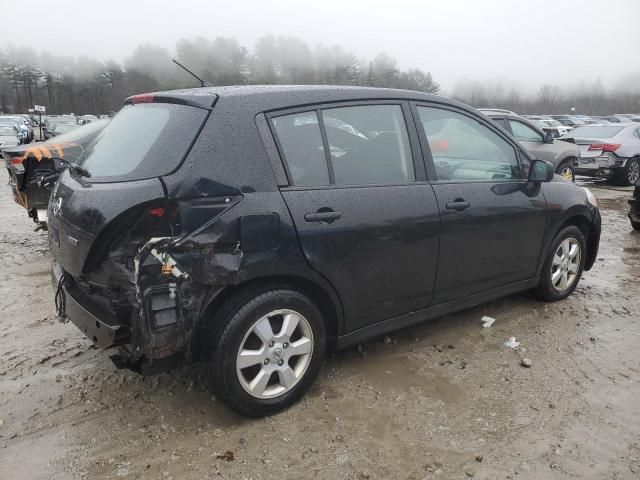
{"x": 253, "y": 228}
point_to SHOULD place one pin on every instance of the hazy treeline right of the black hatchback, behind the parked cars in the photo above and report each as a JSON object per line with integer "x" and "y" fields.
{"x": 586, "y": 98}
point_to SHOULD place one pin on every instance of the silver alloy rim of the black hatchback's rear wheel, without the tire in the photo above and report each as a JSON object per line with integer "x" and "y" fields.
{"x": 274, "y": 354}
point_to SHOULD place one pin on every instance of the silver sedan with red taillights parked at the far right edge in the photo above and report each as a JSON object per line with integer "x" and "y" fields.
{"x": 609, "y": 151}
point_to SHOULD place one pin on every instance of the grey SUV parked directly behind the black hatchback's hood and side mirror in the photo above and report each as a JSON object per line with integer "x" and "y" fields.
{"x": 540, "y": 144}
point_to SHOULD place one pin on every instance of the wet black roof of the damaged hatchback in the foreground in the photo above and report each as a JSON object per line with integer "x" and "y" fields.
{"x": 273, "y": 97}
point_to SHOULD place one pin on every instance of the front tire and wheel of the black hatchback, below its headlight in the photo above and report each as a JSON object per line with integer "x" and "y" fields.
{"x": 563, "y": 266}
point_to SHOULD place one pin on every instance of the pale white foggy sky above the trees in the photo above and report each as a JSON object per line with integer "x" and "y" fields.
{"x": 525, "y": 43}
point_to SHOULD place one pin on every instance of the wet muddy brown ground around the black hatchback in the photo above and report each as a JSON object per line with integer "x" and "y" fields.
{"x": 444, "y": 400}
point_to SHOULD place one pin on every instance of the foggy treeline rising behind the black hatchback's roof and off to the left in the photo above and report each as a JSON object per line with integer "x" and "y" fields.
{"x": 84, "y": 85}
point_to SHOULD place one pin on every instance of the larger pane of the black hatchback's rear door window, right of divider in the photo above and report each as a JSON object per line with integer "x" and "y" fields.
{"x": 368, "y": 145}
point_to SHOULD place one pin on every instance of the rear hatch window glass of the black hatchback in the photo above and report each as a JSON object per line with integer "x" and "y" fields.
{"x": 143, "y": 141}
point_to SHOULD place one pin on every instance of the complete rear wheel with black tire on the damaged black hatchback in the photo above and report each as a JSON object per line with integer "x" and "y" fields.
{"x": 267, "y": 350}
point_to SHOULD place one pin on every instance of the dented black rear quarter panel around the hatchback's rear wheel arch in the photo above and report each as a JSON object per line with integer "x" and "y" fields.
{"x": 236, "y": 225}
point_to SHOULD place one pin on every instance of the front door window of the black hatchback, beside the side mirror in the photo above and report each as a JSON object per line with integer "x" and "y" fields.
{"x": 465, "y": 150}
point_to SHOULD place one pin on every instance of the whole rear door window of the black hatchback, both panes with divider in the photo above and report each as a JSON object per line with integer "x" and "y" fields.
{"x": 366, "y": 145}
